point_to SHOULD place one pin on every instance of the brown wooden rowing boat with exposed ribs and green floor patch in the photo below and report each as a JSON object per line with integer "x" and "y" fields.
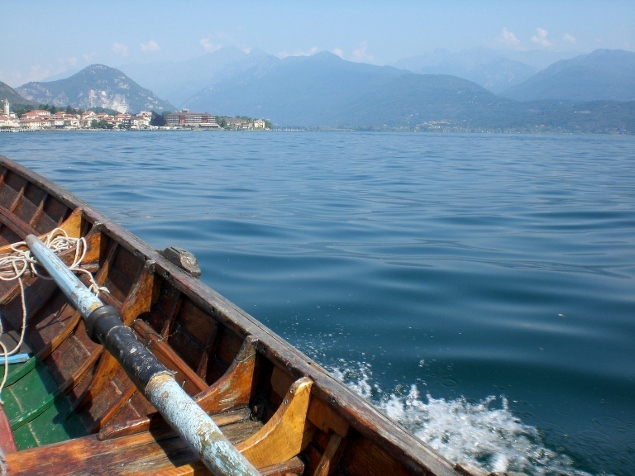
{"x": 72, "y": 409}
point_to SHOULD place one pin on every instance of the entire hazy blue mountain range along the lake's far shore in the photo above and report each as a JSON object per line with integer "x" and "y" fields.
{"x": 588, "y": 93}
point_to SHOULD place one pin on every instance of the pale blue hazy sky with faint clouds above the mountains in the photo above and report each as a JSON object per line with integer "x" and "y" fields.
{"x": 43, "y": 38}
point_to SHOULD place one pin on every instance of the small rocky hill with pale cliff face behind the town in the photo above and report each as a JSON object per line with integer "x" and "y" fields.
{"x": 95, "y": 86}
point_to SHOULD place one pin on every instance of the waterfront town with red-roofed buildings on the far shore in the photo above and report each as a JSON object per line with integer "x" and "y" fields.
{"x": 67, "y": 119}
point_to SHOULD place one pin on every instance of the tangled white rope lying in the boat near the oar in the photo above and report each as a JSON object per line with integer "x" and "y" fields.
{"x": 14, "y": 266}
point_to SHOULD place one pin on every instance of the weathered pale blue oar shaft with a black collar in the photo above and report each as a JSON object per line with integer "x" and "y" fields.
{"x": 105, "y": 326}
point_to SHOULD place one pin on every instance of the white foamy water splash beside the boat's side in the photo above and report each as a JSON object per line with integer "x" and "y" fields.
{"x": 485, "y": 434}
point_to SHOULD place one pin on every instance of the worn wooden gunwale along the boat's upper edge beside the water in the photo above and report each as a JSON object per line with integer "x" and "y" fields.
{"x": 417, "y": 457}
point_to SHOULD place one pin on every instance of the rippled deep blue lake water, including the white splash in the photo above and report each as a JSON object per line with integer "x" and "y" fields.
{"x": 479, "y": 289}
